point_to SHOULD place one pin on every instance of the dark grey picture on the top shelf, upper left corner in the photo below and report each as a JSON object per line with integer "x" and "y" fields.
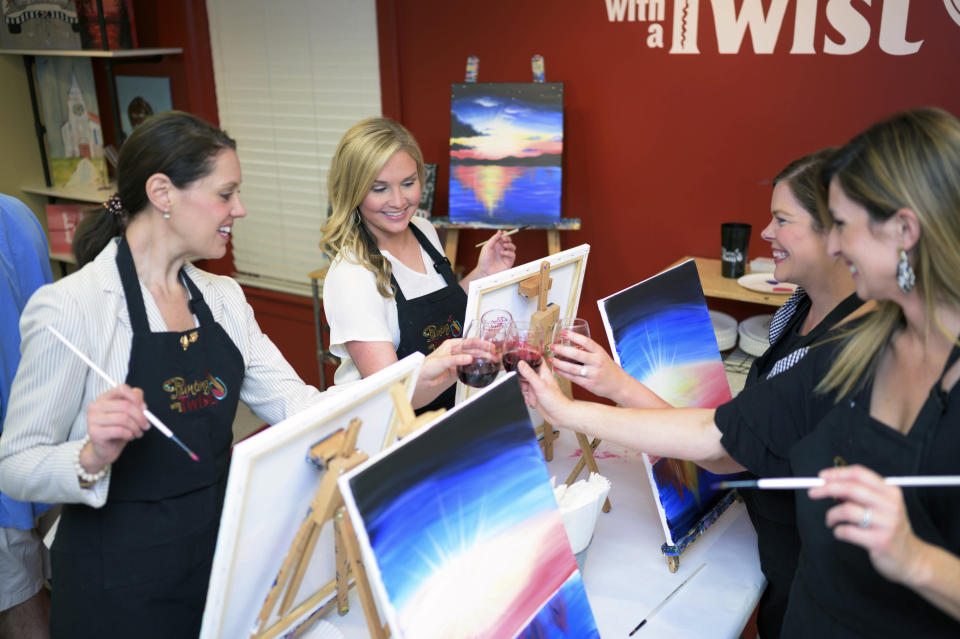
{"x": 44, "y": 24}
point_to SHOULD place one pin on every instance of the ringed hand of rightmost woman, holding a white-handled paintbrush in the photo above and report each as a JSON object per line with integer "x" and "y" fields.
{"x": 873, "y": 515}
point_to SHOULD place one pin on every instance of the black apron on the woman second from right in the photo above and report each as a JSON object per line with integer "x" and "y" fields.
{"x": 773, "y": 512}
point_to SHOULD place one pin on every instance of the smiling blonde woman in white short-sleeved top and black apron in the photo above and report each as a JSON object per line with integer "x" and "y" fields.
{"x": 390, "y": 291}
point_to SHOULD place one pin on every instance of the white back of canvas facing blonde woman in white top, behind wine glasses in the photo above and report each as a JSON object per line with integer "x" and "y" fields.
{"x": 567, "y": 270}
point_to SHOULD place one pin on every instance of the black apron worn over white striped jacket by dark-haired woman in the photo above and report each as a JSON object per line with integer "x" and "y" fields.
{"x": 140, "y": 565}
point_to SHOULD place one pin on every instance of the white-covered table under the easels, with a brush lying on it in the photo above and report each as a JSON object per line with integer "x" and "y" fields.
{"x": 626, "y": 575}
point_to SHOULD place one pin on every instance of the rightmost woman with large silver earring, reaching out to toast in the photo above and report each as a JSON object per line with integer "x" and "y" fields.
{"x": 880, "y": 399}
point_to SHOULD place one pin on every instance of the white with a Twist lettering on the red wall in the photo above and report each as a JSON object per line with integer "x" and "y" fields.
{"x": 767, "y": 26}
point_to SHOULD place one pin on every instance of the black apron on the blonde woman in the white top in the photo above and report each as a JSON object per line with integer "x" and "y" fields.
{"x": 429, "y": 320}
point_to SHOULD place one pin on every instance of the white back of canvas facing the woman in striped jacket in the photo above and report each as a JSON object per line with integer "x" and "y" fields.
{"x": 269, "y": 490}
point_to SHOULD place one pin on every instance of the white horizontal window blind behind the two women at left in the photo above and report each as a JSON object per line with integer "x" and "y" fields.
{"x": 291, "y": 77}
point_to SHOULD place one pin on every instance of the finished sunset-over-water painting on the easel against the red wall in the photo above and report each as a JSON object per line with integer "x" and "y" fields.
{"x": 506, "y": 145}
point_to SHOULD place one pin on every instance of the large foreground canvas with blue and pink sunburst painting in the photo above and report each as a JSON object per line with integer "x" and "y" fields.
{"x": 460, "y": 531}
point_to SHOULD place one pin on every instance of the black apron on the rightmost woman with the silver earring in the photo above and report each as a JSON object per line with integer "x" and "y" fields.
{"x": 835, "y": 580}
